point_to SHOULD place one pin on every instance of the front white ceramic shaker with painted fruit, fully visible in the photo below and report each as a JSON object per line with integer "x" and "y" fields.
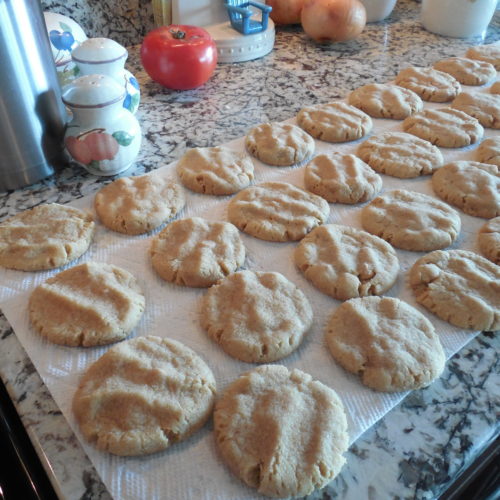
{"x": 103, "y": 136}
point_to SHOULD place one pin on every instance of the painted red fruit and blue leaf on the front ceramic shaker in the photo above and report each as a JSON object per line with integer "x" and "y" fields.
{"x": 94, "y": 146}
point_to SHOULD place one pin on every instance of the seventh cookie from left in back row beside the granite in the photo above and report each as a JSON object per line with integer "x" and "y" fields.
{"x": 430, "y": 84}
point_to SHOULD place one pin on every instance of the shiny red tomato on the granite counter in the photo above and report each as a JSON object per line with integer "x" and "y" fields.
{"x": 179, "y": 57}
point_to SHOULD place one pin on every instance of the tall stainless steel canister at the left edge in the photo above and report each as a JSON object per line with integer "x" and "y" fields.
{"x": 32, "y": 115}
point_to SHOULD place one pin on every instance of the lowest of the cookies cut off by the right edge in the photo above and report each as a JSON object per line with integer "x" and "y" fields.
{"x": 460, "y": 287}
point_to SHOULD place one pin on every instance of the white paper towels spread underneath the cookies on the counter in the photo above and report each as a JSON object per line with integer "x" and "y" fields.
{"x": 193, "y": 469}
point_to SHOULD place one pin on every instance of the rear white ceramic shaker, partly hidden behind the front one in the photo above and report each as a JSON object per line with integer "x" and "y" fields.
{"x": 106, "y": 57}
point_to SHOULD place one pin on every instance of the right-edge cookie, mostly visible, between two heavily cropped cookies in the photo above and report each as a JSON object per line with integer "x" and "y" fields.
{"x": 471, "y": 186}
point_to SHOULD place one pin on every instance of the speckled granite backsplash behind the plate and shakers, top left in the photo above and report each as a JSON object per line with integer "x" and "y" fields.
{"x": 125, "y": 22}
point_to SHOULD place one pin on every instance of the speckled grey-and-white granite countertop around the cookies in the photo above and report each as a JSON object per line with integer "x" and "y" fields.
{"x": 423, "y": 444}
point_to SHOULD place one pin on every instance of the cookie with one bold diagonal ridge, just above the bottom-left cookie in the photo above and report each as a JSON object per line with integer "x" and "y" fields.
{"x": 87, "y": 305}
